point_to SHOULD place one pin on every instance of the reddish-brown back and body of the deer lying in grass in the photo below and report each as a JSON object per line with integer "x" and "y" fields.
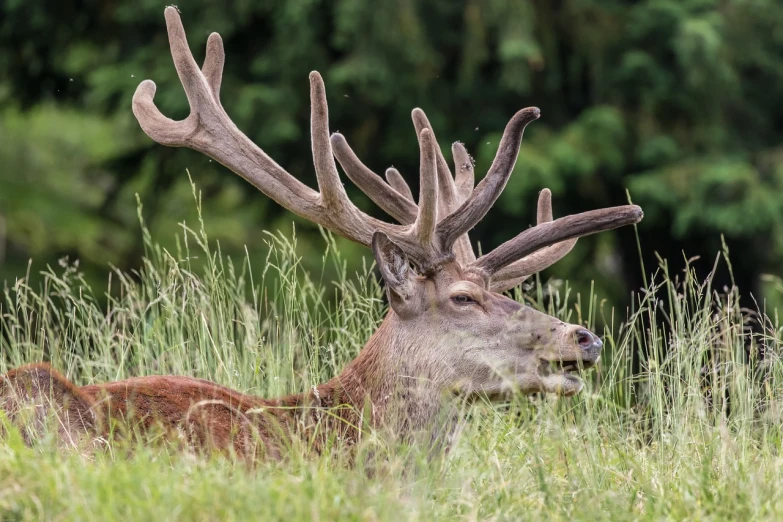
{"x": 206, "y": 415}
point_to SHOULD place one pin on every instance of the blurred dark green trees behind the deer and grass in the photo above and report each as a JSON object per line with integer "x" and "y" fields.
{"x": 677, "y": 102}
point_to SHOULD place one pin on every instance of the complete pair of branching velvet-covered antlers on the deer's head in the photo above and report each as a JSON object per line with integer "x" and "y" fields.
{"x": 430, "y": 233}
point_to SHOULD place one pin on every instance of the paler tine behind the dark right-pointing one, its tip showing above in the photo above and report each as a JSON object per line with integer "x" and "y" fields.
{"x": 512, "y": 275}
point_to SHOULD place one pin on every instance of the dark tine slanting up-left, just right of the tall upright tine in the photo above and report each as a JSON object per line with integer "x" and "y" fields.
{"x": 390, "y": 200}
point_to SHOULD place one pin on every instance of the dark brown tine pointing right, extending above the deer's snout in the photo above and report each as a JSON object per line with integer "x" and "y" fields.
{"x": 545, "y": 234}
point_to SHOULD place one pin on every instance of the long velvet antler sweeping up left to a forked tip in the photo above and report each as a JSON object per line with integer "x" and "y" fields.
{"x": 209, "y": 130}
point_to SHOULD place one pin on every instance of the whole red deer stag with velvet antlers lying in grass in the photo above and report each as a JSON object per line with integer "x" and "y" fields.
{"x": 450, "y": 333}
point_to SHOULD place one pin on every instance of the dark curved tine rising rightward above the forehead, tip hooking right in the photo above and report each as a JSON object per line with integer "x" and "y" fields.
{"x": 487, "y": 192}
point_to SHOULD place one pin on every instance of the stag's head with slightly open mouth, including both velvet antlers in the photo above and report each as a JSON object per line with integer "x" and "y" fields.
{"x": 449, "y": 321}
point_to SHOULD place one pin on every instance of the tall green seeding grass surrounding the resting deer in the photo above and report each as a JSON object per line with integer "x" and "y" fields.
{"x": 694, "y": 434}
